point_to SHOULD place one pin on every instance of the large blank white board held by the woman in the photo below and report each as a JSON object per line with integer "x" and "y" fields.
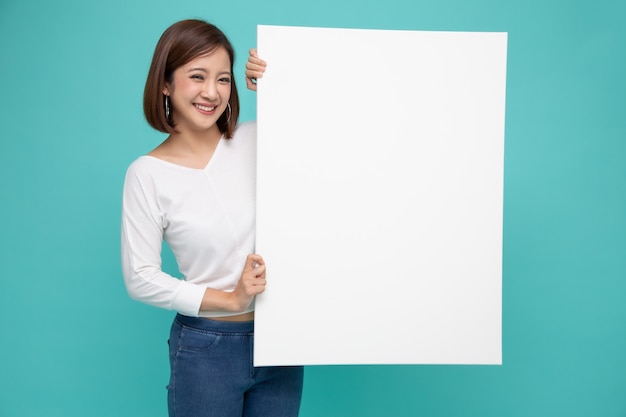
{"x": 379, "y": 196}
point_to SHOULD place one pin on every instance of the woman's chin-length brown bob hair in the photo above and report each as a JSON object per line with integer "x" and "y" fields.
{"x": 179, "y": 44}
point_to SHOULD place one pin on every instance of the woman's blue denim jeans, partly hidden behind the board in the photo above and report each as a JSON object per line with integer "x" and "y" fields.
{"x": 212, "y": 373}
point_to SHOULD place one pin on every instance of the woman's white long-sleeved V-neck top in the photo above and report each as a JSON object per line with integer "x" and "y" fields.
{"x": 207, "y": 217}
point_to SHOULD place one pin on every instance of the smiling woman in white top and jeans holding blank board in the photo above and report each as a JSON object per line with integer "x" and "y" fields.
{"x": 196, "y": 190}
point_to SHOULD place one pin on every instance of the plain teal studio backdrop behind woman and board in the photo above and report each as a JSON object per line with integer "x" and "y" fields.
{"x": 72, "y": 342}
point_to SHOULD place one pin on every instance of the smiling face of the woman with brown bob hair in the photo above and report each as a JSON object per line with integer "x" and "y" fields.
{"x": 199, "y": 92}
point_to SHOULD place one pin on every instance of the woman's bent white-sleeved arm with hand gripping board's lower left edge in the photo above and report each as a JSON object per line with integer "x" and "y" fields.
{"x": 142, "y": 234}
